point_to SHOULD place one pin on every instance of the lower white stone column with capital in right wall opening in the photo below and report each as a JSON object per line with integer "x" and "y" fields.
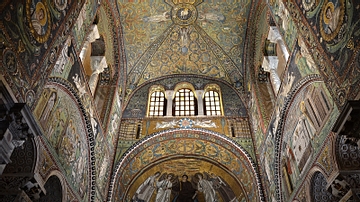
{"x": 270, "y": 64}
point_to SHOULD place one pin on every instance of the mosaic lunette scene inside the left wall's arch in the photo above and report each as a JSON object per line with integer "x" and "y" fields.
{"x": 63, "y": 131}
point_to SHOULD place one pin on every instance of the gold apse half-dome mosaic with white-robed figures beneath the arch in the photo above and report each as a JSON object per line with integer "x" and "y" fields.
{"x": 210, "y": 186}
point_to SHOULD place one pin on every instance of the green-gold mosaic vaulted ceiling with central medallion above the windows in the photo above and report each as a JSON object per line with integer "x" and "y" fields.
{"x": 184, "y": 37}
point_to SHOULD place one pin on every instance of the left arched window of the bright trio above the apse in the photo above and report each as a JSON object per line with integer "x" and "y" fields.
{"x": 157, "y": 101}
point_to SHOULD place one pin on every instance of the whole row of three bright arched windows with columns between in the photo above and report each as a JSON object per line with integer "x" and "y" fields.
{"x": 184, "y": 100}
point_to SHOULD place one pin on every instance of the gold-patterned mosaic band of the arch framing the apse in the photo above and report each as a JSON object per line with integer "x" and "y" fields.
{"x": 188, "y": 143}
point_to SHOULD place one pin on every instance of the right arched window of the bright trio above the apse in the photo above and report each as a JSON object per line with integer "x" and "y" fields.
{"x": 212, "y": 100}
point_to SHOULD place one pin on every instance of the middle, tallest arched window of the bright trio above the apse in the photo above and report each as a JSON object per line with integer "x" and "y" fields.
{"x": 185, "y": 102}
